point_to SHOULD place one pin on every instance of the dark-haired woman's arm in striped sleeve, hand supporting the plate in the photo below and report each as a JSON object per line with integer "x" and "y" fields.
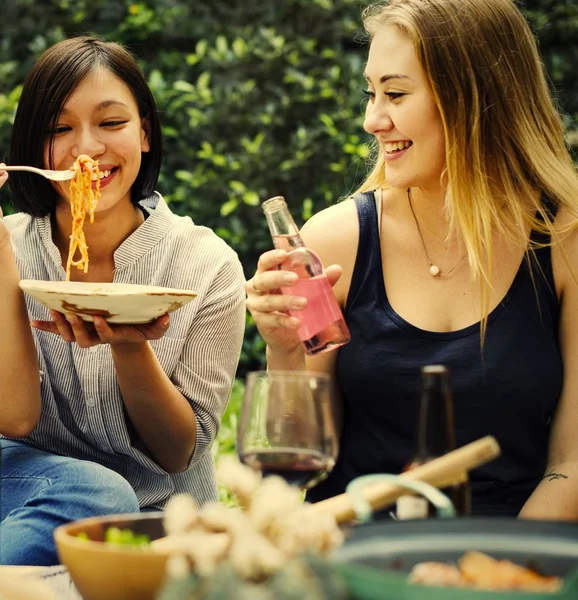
{"x": 175, "y": 418}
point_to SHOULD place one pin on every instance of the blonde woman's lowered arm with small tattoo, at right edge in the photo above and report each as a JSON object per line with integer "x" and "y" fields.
{"x": 556, "y": 497}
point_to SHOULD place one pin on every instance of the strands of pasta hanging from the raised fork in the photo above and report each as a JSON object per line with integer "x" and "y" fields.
{"x": 83, "y": 199}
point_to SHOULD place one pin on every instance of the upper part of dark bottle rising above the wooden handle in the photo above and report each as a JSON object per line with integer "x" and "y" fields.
{"x": 436, "y": 434}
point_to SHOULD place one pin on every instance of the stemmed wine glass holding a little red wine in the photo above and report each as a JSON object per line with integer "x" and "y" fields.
{"x": 286, "y": 426}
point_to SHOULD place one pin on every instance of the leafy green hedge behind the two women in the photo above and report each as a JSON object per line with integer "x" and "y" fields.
{"x": 258, "y": 98}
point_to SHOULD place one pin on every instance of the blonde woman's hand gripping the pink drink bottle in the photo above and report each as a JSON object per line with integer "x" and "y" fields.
{"x": 270, "y": 308}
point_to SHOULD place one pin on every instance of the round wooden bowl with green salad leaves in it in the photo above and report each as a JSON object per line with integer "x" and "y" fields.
{"x": 104, "y": 571}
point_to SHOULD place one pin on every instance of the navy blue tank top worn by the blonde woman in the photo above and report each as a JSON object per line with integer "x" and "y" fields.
{"x": 509, "y": 389}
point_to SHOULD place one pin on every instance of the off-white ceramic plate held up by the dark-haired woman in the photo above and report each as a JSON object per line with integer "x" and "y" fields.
{"x": 116, "y": 302}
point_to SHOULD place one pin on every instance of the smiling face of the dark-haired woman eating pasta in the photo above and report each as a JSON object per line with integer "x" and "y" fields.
{"x": 100, "y": 119}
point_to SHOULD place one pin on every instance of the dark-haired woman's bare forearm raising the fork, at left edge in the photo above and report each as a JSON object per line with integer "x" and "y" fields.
{"x": 19, "y": 375}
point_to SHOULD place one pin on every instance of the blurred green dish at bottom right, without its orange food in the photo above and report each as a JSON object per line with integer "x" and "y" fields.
{"x": 377, "y": 557}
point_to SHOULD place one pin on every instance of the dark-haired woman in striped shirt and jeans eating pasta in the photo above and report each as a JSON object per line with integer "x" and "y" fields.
{"x": 110, "y": 418}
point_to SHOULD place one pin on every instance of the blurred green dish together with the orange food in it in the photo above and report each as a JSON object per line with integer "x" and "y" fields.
{"x": 476, "y": 558}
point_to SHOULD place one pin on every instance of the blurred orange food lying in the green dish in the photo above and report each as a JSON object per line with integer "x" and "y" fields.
{"x": 480, "y": 571}
